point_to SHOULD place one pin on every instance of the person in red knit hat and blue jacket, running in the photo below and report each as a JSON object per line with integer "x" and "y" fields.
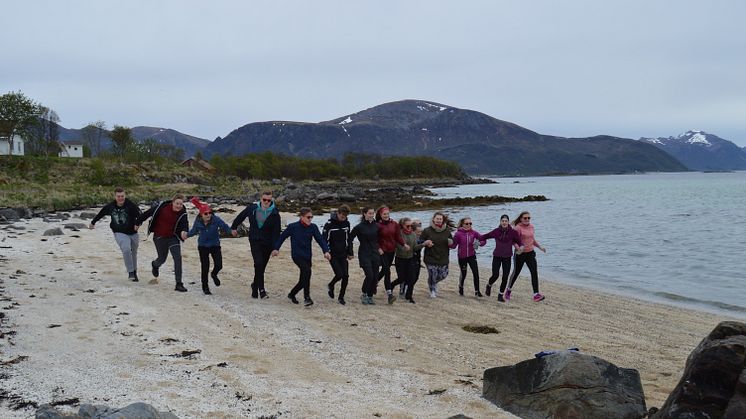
{"x": 207, "y": 226}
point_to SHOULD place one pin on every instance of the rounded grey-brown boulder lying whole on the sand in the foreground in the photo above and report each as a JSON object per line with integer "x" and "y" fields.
{"x": 566, "y": 384}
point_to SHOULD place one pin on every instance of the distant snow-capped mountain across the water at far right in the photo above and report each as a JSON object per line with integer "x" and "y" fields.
{"x": 699, "y": 150}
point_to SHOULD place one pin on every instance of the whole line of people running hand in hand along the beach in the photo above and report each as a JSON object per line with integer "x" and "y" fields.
{"x": 383, "y": 243}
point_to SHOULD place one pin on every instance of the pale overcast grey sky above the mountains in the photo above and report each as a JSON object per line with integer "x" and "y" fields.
{"x": 569, "y": 68}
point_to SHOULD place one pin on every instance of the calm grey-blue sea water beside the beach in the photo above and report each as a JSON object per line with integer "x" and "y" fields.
{"x": 679, "y": 238}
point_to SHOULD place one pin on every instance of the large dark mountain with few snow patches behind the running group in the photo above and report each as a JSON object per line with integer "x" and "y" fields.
{"x": 478, "y": 142}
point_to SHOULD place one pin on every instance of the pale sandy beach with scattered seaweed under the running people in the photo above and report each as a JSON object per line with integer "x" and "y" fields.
{"x": 91, "y": 334}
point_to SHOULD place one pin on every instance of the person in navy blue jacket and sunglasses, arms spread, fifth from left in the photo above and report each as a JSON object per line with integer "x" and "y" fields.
{"x": 301, "y": 232}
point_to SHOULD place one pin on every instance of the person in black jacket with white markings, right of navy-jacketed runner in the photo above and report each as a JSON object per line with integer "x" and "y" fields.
{"x": 336, "y": 232}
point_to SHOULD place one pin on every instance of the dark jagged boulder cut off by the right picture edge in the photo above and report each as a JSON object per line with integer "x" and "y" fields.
{"x": 714, "y": 380}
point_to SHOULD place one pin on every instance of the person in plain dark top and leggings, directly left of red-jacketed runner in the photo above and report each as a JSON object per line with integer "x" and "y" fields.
{"x": 366, "y": 232}
